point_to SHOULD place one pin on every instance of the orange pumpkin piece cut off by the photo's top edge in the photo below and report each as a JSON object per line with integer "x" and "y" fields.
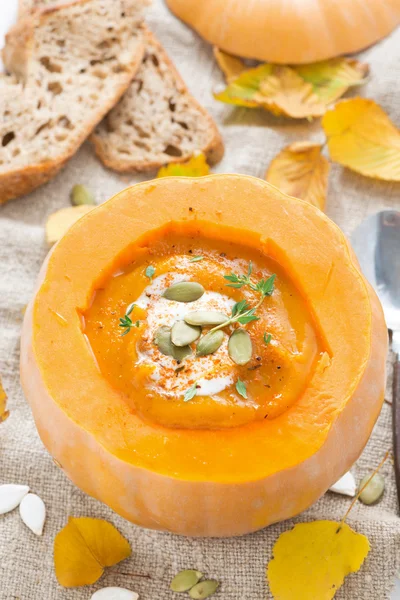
{"x": 289, "y": 32}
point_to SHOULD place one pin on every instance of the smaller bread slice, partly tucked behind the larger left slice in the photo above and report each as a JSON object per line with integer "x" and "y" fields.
{"x": 157, "y": 121}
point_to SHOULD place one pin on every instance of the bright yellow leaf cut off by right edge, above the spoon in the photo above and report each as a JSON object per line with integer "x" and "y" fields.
{"x": 362, "y": 137}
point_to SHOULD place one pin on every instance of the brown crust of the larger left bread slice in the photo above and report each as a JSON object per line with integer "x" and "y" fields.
{"x": 20, "y": 181}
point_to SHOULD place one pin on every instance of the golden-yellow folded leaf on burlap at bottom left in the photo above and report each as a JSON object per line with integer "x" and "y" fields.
{"x": 84, "y": 548}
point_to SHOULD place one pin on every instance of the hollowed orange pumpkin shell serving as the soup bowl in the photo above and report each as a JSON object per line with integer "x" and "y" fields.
{"x": 216, "y": 483}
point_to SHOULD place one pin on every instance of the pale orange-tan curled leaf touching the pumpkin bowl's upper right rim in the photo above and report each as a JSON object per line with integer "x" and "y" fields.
{"x": 300, "y": 170}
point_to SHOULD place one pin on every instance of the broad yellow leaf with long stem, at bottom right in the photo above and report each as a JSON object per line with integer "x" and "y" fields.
{"x": 318, "y": 556}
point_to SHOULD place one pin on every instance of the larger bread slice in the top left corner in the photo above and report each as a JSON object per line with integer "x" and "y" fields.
{"x": 67, "y": 66}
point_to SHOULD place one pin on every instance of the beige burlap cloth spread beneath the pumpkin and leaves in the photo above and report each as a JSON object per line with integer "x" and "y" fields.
{"x": 252, "y": 138}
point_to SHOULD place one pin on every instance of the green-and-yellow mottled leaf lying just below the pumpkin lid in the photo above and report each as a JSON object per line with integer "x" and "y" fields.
{"x": 295, "y": 91}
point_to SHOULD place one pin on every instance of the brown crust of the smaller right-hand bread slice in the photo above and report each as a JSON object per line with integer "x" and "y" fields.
{"x": 213, "y": 151}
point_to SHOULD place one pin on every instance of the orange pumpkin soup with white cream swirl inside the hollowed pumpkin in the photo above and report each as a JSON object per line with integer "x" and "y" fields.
{"x": 284, "y": 340}
